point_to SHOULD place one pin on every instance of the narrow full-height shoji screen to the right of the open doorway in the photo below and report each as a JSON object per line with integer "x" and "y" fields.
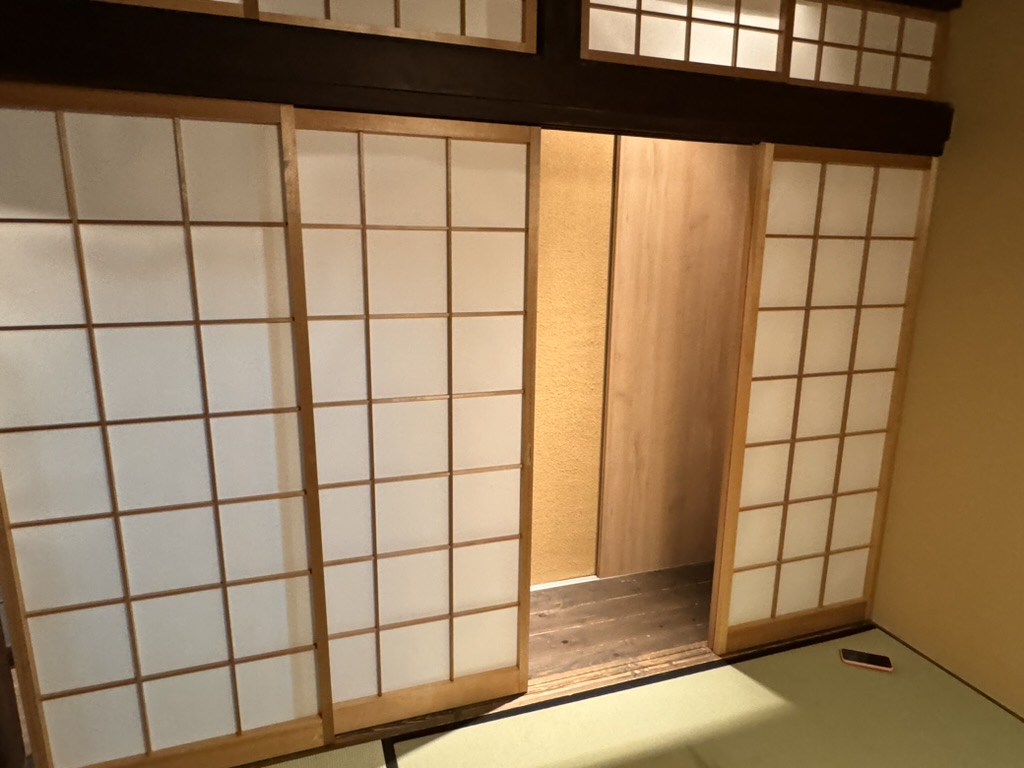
{"x": 830, "y": 300}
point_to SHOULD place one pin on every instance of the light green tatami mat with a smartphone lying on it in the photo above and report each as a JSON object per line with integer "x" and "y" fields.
{"x": 799, "y": 709}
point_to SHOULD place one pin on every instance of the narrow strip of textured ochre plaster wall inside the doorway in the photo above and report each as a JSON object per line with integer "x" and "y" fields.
{"x": 573, "y": 296}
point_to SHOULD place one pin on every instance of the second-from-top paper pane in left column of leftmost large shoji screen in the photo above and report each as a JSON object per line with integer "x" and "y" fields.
{"x": 39, "y": 281}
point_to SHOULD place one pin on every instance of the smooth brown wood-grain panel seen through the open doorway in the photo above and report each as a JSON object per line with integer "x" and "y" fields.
{"x": 682, "y": 226}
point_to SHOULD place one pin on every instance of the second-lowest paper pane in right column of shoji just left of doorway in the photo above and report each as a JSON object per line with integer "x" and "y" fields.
{"x": 487, "y": 575}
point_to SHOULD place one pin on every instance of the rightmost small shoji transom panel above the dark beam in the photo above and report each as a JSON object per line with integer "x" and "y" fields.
{"x": 876, "y": 48}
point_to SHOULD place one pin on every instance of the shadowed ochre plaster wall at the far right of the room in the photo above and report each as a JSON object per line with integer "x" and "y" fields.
{"x": 952, "y": 580}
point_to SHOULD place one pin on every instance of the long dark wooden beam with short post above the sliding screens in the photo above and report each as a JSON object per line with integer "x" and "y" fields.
{"x": 123, "y": 48}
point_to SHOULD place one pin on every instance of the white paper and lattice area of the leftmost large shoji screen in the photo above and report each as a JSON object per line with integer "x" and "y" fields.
{"x": 150, "y": 442}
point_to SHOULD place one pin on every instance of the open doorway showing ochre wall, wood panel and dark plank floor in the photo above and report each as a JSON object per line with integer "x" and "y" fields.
{"x": 633, "y": 430}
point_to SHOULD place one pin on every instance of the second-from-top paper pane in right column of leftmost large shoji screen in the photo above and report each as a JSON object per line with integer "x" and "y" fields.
{"x": 241, "y": 272}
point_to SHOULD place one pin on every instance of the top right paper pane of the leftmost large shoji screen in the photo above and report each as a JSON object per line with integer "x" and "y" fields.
{"x": 234, "y": 172}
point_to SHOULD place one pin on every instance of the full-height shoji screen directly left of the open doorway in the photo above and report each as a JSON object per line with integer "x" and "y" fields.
{"x": 417, "y": 246}
